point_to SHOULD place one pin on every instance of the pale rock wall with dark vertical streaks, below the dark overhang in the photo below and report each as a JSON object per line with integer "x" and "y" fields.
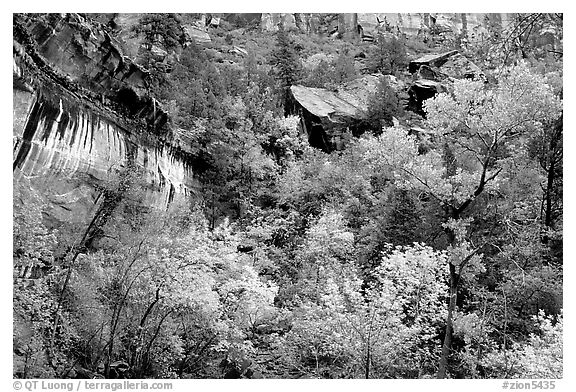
{"x": 67, "y": 151}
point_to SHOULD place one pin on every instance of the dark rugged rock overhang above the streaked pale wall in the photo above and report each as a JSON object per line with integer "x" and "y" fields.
{"x": 83, "y": 53}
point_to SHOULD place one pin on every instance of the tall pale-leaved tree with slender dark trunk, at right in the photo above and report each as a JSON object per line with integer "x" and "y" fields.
{"x": 480, "y": 133}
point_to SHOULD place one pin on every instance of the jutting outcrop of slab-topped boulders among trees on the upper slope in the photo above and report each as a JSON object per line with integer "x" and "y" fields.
{"x": 331, "y": 118}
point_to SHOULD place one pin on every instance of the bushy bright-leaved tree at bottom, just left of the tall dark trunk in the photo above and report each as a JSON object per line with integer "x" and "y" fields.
{"x": 383, "y": 331}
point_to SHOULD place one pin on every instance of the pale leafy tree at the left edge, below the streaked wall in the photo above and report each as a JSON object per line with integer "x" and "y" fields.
{"x": 34, "y": 250}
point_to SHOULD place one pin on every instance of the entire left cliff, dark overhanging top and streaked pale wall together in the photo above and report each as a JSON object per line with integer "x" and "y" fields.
{"x": 73, "y": 135}
